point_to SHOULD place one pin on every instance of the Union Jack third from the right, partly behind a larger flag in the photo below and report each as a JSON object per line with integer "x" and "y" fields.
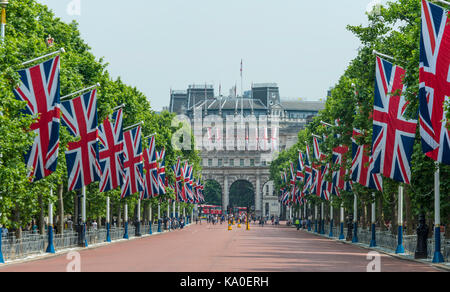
{"x": 363, "y": 165}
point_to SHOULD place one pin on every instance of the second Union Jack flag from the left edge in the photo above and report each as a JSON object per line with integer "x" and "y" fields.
{"x": 82, "y": 157}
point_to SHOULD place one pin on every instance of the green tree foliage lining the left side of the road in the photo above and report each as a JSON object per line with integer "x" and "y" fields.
{"x": 29, "y": 24}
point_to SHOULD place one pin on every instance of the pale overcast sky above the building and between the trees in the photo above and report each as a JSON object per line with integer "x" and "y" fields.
{"x": 158, "y": 45}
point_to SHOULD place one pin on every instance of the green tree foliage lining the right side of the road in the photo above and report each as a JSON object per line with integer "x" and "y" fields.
{"x": 395, "y": 31}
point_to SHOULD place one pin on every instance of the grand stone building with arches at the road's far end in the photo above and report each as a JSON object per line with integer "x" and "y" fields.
{"x": 240, "y": 136}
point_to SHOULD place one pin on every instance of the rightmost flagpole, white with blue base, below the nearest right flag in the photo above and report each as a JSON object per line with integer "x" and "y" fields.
{"x": 437, "y": 258}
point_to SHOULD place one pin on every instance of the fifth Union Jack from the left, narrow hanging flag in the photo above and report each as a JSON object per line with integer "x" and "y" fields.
{"x": 151, "y": 189}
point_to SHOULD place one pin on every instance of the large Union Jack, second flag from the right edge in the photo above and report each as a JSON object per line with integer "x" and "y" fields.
{"x": 393, "y": 134}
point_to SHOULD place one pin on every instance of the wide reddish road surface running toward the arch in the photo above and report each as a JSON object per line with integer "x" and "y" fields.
{"x": 212, "y": 248}
